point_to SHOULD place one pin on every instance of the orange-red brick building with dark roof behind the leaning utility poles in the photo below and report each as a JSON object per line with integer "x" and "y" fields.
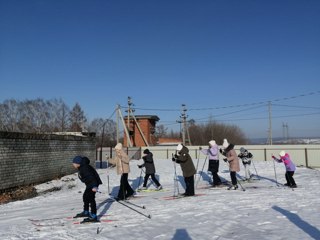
{"x": 147, "y": 125}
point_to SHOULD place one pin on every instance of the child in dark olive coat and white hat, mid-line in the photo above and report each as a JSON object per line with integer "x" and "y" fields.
{"x": 188, "y": 170}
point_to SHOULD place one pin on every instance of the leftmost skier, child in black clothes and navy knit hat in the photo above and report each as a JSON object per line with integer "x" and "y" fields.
{"x": 89, "y": 176}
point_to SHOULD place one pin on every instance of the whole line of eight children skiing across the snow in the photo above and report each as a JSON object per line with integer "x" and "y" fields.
{"x": 89, "y": 176}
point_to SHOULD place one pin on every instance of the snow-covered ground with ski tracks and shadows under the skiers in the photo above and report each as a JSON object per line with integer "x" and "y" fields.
{"x": 263, "y": 211}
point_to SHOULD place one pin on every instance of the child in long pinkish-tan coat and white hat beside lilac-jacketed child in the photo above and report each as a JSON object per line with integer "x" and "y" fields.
{"x": 232, "y": 159}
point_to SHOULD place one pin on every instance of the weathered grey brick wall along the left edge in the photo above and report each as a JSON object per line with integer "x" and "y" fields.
{"x": 34, "y": 158}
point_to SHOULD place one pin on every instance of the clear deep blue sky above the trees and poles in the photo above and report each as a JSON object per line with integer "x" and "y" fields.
{"x": 215, "y": 56}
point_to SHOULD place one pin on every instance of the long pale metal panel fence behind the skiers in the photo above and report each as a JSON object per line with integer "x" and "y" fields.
{"x": 302, "y": 155}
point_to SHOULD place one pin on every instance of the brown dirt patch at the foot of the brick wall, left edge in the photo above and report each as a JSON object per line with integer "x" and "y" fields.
{"x": 19, "y": 193}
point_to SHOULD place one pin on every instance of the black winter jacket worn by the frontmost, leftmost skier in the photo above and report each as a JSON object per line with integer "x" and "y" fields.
{"x": 88, "y": 175}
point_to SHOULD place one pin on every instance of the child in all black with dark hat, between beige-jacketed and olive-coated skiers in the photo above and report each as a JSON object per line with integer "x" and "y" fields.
{"x": 150, "y": 169}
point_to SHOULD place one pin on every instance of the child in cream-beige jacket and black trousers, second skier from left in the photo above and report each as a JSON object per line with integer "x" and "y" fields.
{"x": 121, "y": 161}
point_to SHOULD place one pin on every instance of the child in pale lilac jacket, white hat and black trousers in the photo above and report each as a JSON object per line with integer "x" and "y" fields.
{"x": 213, "y": 167}
